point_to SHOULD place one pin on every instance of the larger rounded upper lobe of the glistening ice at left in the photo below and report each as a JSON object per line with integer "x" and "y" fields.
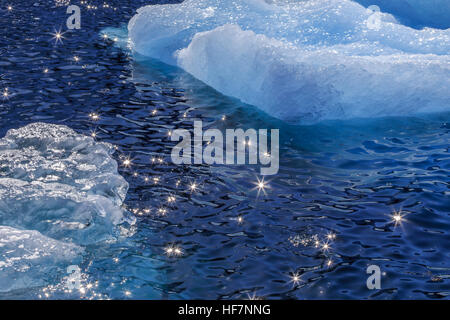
{"x": 60, "y": 183}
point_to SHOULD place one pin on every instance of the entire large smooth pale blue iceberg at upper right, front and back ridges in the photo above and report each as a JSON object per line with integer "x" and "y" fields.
{"x": 301, "y": 61}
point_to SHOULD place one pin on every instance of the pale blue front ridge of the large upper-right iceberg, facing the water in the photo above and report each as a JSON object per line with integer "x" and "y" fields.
{"x": 304, "y": 86}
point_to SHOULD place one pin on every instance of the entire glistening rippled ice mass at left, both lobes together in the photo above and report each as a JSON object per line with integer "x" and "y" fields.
{"x": 59, "y": 191}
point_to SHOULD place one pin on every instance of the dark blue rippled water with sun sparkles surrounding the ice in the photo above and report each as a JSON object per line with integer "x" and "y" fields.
{"x": 339, "y": 183}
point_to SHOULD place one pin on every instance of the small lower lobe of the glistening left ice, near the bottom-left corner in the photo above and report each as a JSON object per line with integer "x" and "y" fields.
{"x": 29, "y": 259}
